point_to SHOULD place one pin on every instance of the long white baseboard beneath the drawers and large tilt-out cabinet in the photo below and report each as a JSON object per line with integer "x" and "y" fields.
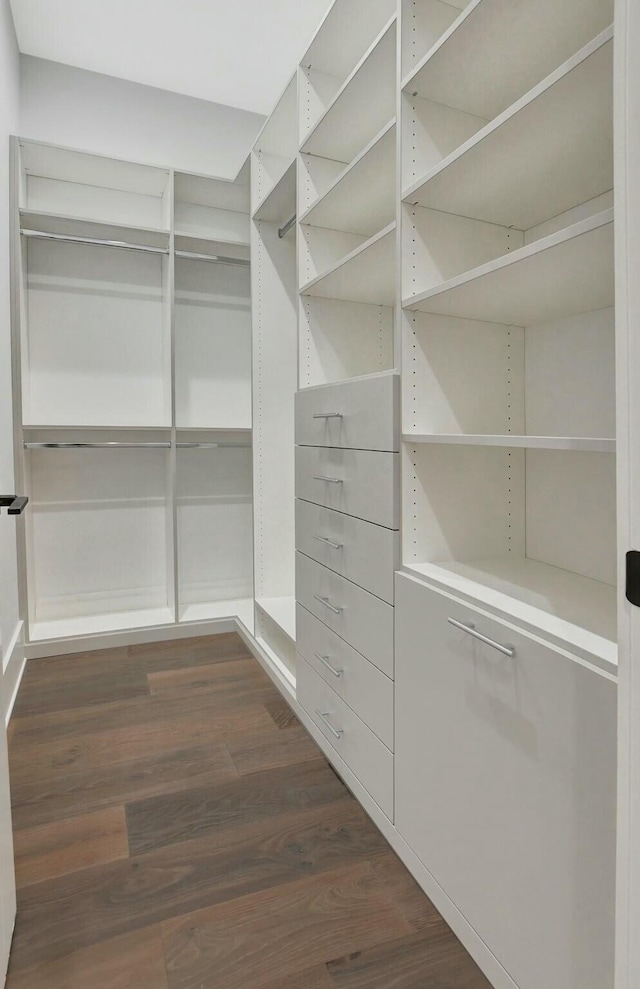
{"x": 467, "y": 935}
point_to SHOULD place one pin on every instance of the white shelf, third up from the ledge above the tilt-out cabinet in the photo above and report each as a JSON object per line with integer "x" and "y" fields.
{"x": 549, "y": 152}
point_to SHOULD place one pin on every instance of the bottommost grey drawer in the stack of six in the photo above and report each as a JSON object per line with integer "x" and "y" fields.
{"x": 365, "y": 755}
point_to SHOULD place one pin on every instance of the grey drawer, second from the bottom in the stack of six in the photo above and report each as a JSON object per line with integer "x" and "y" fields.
{"x": 365, "y": 689}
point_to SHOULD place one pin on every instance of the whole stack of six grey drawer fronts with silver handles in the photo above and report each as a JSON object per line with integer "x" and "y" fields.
{"x": 347, "y": 543}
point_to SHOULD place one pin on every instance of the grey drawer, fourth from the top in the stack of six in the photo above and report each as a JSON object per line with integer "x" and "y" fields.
{"x": 358, "y": 617}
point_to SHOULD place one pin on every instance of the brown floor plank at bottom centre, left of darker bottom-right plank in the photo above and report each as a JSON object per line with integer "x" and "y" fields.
{"x": 280, "y": 932}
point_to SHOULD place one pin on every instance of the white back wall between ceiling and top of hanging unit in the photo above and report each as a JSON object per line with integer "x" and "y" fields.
{"x": 92, "y": 112}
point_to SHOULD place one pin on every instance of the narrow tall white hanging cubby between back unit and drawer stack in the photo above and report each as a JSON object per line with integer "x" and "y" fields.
{"x": 275, "y": 375}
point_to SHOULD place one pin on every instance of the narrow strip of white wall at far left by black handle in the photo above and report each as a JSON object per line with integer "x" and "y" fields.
{"x": 9, "y": 107}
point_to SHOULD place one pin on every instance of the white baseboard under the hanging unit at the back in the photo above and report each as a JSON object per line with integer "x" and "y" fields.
{"x": 128, "y": 637}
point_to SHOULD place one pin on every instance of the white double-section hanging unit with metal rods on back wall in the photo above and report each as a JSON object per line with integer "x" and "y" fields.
{"x": 133, "y": 353}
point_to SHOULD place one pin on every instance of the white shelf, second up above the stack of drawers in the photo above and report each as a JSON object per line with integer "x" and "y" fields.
{"x": 361, "y": 199}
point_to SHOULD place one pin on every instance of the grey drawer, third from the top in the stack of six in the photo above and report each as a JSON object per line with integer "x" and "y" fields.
{"x": 363, "y": 552}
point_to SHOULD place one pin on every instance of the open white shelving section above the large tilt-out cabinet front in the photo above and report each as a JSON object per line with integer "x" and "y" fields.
{"x": 508, "y": 322}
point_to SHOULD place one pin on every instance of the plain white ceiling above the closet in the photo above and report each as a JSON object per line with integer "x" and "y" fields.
{"x": 240, "y": 54}
